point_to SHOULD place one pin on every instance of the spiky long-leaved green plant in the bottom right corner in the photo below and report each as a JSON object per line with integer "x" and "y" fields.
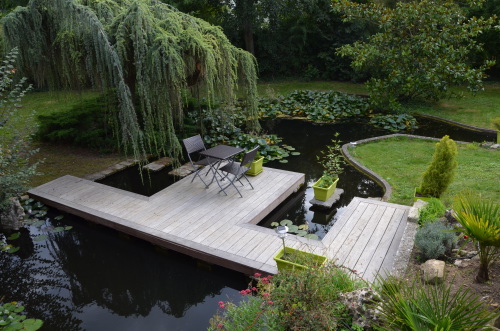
{"x": 410, "y": 305}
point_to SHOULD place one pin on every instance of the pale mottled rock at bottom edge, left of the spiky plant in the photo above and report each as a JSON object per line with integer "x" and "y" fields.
{"x": 360, "y": 304}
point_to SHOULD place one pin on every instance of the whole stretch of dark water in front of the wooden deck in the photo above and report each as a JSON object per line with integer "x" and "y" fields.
{"x": 89, "y": 278}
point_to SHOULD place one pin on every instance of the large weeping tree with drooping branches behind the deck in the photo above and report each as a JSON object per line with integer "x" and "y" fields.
{"x": 147, "y": 51}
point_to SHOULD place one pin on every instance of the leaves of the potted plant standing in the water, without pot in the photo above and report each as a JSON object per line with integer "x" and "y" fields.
{"x": 332, "y": 160}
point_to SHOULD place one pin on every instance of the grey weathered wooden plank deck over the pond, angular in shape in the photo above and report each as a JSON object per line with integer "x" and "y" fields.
{"x": 220, "y": 229}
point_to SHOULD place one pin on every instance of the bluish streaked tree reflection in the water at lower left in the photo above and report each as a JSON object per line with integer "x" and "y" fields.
{"x": 30, "y": 276}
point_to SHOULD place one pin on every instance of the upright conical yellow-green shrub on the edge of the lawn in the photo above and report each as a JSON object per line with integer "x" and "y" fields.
{"x": 441, "y": 170}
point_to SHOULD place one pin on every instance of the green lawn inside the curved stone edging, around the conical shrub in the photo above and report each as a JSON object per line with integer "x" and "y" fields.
{"x": 478, "y": 168}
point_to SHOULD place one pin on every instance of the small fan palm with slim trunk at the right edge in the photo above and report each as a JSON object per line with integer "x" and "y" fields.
{"x": 480, "y": 220}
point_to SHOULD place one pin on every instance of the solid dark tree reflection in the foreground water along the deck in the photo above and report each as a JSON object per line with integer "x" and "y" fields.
{"x": 129, "y": 277}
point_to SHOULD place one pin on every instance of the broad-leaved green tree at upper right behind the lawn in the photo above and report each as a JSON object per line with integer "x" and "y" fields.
{"x": 420, "y": 50}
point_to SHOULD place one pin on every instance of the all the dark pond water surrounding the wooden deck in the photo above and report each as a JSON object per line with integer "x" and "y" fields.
{"x": 92, "y": 278}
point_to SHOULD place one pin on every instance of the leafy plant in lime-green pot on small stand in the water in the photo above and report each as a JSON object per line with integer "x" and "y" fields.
{"x": 333, "y": 162}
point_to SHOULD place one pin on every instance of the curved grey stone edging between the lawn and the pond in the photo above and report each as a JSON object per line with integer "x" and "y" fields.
{"x": 373, "y": 175}
